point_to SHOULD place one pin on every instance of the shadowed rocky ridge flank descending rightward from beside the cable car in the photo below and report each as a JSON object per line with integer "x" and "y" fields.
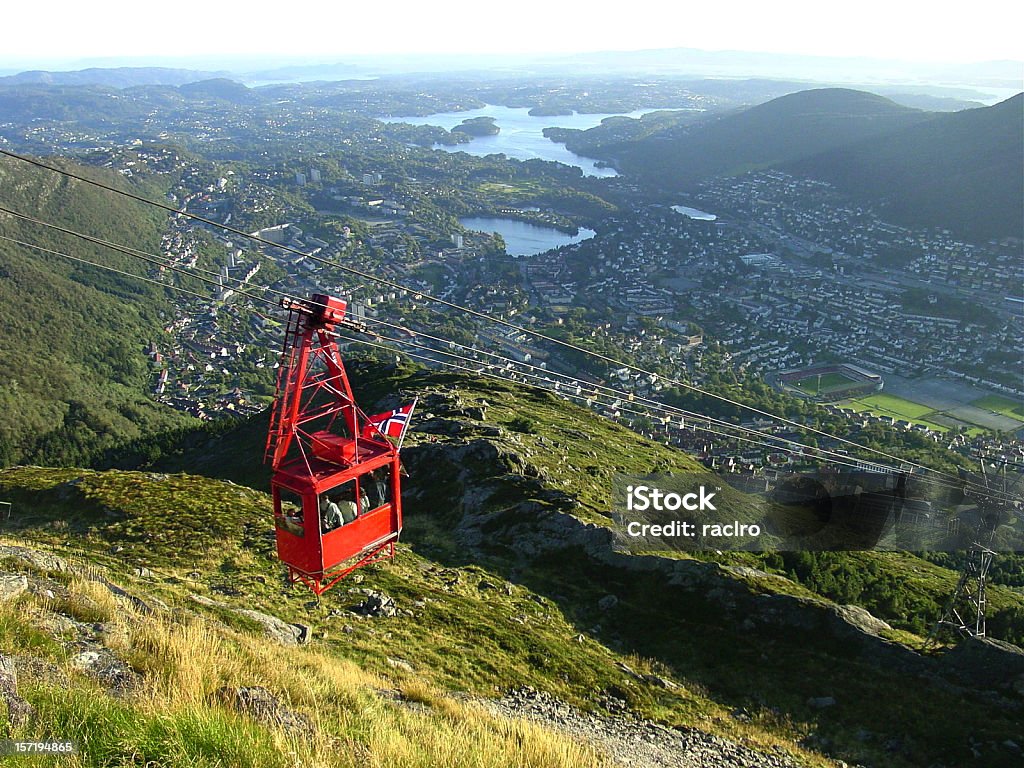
{"x": 499, "y": 506}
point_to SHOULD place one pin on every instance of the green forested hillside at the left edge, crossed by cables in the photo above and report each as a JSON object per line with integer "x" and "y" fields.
{"x": 72, "y": 353}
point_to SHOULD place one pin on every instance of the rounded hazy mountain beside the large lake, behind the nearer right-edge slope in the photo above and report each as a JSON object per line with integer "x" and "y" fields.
{"x": 781, "y": 132}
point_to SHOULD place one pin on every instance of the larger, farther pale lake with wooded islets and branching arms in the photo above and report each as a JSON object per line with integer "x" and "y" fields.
{"x": 522, "y": 135}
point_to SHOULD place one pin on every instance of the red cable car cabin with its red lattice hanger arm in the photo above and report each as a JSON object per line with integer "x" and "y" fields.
{"x": 337, "y": 503}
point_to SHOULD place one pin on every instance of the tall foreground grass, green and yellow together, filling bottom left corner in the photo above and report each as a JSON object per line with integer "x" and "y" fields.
{"x": 176, "y": 718}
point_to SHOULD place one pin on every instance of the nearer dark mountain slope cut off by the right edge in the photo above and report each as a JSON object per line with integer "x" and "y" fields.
{"x": 960, "y": 172}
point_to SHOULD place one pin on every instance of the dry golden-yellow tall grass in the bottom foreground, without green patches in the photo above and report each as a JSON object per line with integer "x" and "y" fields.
{"x": 186, "y": 660}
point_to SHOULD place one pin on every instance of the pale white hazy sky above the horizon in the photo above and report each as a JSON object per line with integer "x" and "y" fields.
{"x": 938, "y": 31}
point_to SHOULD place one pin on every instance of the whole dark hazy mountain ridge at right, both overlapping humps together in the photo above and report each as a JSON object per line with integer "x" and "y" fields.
{"x": 955, "y": 170}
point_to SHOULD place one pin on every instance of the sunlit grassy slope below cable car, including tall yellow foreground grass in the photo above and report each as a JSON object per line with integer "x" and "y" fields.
{"x": 471, "y": 631}
